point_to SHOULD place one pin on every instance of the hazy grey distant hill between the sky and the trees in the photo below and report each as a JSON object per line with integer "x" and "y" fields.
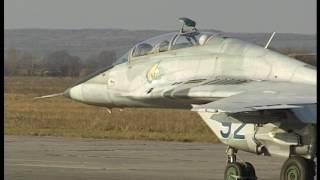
{"x": 88, "y": 42}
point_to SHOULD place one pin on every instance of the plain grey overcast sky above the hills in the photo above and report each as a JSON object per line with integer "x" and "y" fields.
{"x": 287, "y": 16}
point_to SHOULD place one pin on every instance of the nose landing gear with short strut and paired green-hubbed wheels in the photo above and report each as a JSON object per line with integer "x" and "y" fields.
{"x": 236, "y": 170}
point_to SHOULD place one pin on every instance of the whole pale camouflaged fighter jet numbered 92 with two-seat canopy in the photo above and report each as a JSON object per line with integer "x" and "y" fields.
{"x": 252, "y": 98}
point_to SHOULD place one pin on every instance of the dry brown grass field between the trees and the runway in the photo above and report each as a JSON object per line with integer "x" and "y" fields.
{"x": 63, "y": 117}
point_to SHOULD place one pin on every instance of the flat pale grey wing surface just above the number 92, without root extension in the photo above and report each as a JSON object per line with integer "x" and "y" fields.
{"x": 259, "y": 100}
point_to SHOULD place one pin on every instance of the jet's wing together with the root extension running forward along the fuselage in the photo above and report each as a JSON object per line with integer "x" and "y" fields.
{"x": 251, "y": 96}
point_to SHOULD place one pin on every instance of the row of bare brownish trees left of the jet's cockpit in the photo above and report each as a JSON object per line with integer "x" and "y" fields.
{"x": 57, "y": 63}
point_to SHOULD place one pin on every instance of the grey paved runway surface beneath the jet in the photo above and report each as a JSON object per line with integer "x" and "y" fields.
{"x": 38, "y": 158}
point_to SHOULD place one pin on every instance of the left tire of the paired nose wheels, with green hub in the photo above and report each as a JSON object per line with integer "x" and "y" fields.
{"x": 234, "y": 169}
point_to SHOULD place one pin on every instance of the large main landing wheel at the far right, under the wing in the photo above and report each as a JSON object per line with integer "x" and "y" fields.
{"x": 297, "y": 168}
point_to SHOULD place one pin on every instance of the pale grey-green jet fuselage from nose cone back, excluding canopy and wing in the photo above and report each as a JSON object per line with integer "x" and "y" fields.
{"x": 139, "y": 81}
